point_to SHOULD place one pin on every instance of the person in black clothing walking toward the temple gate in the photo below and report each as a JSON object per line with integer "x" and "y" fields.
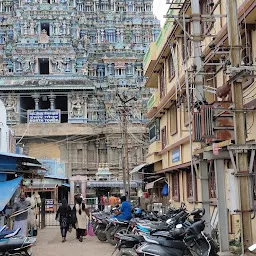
{"x": 64, "y": 215}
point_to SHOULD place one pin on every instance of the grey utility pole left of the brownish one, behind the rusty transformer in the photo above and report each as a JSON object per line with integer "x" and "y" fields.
{"x": 199, "y": 94}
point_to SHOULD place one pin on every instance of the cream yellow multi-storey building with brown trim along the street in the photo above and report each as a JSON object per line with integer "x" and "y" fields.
{"x": 175, "y": 134}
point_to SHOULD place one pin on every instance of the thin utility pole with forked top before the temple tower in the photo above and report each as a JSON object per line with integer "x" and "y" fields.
{"x": 126, "y": 173}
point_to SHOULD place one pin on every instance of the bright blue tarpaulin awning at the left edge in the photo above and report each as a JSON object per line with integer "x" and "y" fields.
{"x": 7, "y": 190}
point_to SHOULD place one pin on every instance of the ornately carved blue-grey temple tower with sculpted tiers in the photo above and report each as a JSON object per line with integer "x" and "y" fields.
{"x": 62, "y": 65}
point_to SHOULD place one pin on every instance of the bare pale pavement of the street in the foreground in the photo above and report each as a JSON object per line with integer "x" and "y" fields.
{"x": 49, "y": 244}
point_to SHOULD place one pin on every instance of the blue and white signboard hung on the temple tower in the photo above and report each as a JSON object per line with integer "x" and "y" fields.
{"x": 44, "y": 116}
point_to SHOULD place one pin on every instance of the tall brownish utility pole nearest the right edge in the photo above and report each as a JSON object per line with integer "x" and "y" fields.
{"x": 239, "y": 125}
